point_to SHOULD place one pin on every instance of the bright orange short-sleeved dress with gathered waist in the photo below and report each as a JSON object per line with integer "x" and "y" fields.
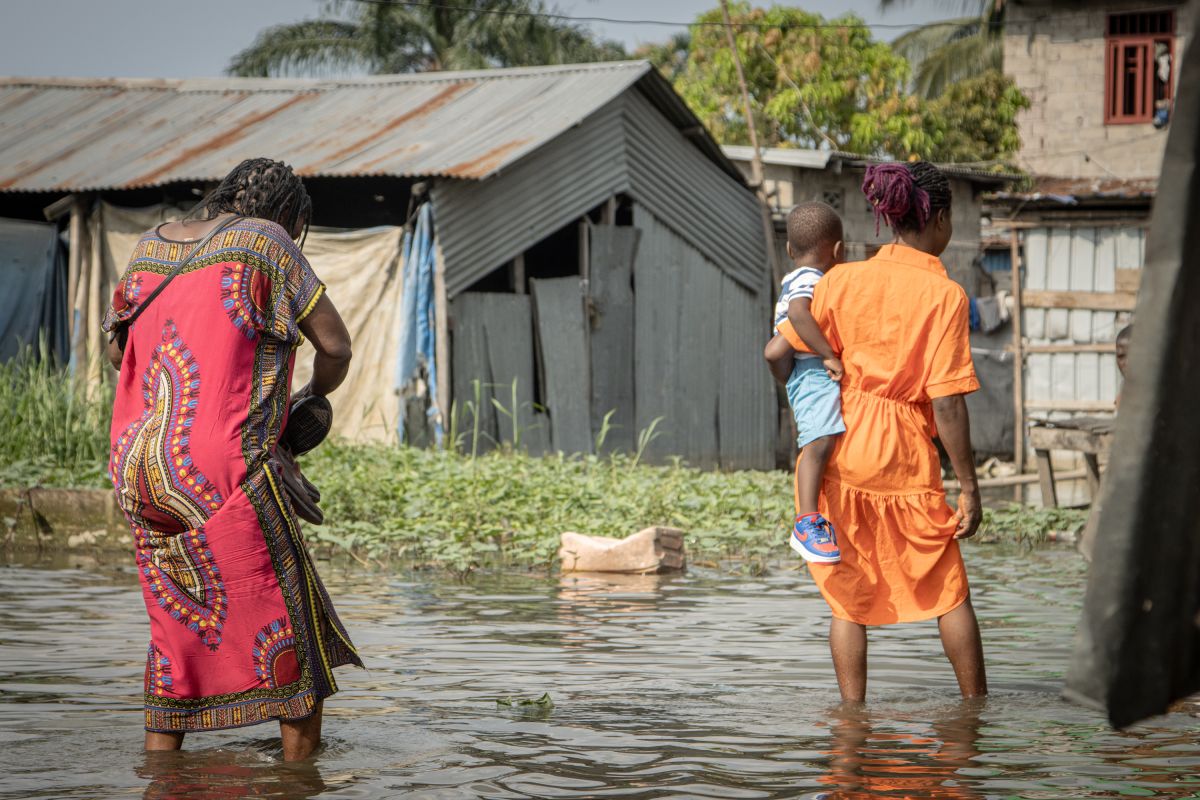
{"x": 902, "y": 328}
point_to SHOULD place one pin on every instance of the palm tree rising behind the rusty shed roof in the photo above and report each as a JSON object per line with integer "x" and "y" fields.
{"x": 382, "y": 37}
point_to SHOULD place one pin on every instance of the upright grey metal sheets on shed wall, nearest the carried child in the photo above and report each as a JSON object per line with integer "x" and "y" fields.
{"x": 698, "y": 341}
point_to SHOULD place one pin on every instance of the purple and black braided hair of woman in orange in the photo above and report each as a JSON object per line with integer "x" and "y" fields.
{"x": 907, "y": 196}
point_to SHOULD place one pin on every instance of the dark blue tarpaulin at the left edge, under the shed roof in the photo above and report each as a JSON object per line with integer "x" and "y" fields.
{"x": 34, "y": 302}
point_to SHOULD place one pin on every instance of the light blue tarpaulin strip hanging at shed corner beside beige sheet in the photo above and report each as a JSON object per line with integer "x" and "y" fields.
{"x": 417, "y": 322}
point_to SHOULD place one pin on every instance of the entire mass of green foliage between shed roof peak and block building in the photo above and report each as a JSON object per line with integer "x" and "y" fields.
{"x": 818, "y": 83}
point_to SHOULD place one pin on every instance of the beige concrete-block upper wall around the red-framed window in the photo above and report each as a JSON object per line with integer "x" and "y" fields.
{"x": 1055, "y": 53}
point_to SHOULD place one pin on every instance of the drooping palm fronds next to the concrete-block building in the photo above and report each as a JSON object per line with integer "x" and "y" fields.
{"x": 950, "y": 51}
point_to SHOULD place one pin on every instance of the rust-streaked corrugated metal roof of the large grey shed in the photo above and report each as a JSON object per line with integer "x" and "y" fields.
{"x": 77, "y": 135}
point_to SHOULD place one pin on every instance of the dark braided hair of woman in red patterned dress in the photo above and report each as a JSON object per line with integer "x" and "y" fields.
{"x": 263, "y": 189}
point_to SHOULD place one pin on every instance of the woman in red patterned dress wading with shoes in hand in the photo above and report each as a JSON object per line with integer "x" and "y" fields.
{"x": 242, "y": 628}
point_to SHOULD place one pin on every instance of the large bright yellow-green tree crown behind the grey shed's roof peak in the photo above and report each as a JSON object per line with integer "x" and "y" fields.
{"x": 812, "y": 83}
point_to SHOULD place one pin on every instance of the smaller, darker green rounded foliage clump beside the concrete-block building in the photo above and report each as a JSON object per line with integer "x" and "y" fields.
{"x": 979, "y": 119}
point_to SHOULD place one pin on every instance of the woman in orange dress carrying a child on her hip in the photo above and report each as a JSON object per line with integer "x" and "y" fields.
{"x": 902, "y": 329}
